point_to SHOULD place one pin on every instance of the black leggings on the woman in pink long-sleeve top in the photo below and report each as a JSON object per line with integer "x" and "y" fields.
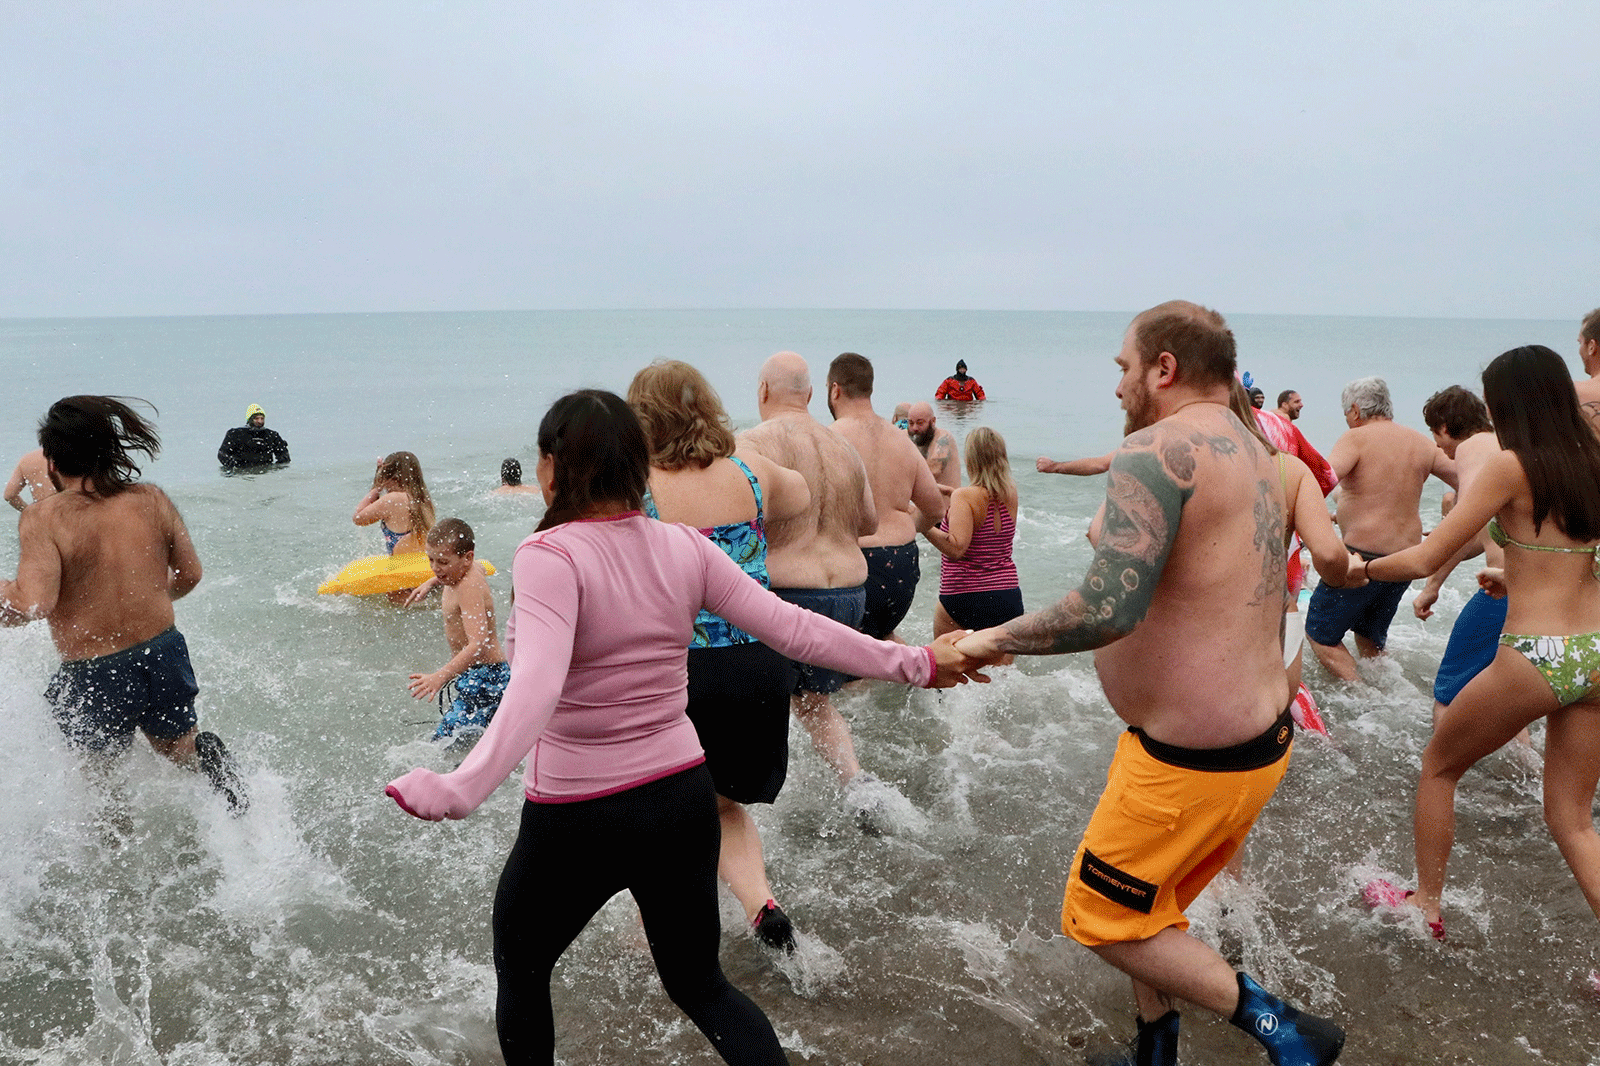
{"x": 660, "y": 841}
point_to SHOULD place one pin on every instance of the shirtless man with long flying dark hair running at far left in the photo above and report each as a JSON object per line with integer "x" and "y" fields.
{"x": 103, "y": 561}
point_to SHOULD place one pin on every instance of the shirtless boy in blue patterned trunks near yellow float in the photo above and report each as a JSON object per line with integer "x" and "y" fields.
{"x": 478, "y": 668}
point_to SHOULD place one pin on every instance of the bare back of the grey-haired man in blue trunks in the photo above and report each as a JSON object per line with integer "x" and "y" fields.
{"x": 1382, "y": 470}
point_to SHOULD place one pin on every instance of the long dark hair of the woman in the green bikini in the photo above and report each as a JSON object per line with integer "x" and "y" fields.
{"x": 1537, "y": 417}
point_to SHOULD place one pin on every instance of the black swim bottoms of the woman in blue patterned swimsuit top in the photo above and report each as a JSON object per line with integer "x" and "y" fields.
{"x": 740, "y": 708}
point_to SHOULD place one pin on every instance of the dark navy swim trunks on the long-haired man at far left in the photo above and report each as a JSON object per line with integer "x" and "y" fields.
{"x": 100, "y": 703}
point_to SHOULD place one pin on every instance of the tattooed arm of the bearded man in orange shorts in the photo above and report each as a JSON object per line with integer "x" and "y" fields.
{"x": 1151, "y": 479}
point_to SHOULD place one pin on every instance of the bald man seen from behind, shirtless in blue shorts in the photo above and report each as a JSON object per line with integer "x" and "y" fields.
{"x": 815, "y": 559}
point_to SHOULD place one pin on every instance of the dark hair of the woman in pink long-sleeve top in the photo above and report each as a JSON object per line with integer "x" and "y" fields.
{"x": 599, "y": 451}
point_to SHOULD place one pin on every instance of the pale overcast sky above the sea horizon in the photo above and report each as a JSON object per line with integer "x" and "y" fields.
{"x": 1385, "y": 159}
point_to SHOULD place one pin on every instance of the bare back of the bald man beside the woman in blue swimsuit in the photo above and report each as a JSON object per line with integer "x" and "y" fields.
{"x": 817, "y": 550}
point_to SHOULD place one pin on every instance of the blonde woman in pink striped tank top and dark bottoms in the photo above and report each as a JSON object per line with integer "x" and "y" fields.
{"x": 978, "y": 585}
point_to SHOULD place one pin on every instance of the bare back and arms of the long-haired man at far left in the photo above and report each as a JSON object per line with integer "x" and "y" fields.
{"x": 105, "y": 571}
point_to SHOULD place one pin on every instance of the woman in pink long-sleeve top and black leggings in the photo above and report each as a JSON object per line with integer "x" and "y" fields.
{"x": 615, "y": 782}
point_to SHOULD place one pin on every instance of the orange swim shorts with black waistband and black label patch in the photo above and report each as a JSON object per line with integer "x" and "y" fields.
{"x": 1166, "y": 825}
